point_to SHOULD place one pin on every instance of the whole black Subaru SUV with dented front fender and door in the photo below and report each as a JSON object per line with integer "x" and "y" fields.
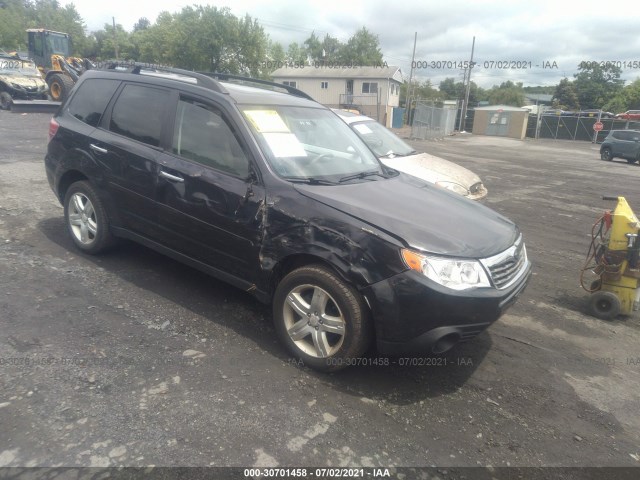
{"x": 273, "y": 193}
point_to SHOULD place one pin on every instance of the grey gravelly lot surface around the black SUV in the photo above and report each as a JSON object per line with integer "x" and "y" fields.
{"x": 133, "y": 359}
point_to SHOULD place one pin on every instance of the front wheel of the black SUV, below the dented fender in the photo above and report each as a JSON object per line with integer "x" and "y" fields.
{"x": 322, "y": 320}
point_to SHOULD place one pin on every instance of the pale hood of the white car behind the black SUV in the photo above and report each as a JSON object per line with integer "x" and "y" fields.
{"x": 433, "y": 169}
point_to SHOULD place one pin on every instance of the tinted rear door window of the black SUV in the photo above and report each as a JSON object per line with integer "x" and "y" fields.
{"x": 138, "y": 113}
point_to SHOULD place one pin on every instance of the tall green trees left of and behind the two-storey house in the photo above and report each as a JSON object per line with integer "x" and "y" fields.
{"x": 197, "y": 37}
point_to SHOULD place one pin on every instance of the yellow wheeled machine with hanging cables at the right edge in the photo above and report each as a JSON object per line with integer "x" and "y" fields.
{"x": 614, "y": 256}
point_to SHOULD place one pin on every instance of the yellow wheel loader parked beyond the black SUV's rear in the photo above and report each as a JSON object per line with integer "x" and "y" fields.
{"x": 50, "y": 51}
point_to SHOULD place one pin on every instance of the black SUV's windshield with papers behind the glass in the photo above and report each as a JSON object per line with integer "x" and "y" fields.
{"x": 311, "y": 144}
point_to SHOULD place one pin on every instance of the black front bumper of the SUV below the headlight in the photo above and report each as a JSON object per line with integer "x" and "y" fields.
{"x": 414, "y": 315}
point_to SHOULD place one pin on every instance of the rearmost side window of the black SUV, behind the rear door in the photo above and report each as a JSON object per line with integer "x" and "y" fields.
{"x": 91, "y": 99}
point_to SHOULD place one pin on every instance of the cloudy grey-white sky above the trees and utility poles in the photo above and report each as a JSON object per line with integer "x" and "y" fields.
{"x": 535, "y": 33}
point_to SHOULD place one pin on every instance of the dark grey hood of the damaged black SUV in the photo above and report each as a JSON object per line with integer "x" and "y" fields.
{"x": 421, "y": 215}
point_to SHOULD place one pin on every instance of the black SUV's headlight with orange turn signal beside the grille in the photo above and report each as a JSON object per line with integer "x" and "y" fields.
{"x": 449, "y": 272}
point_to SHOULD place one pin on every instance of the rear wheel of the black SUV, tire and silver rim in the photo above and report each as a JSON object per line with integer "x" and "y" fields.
{"x": 86, "y": 218}
